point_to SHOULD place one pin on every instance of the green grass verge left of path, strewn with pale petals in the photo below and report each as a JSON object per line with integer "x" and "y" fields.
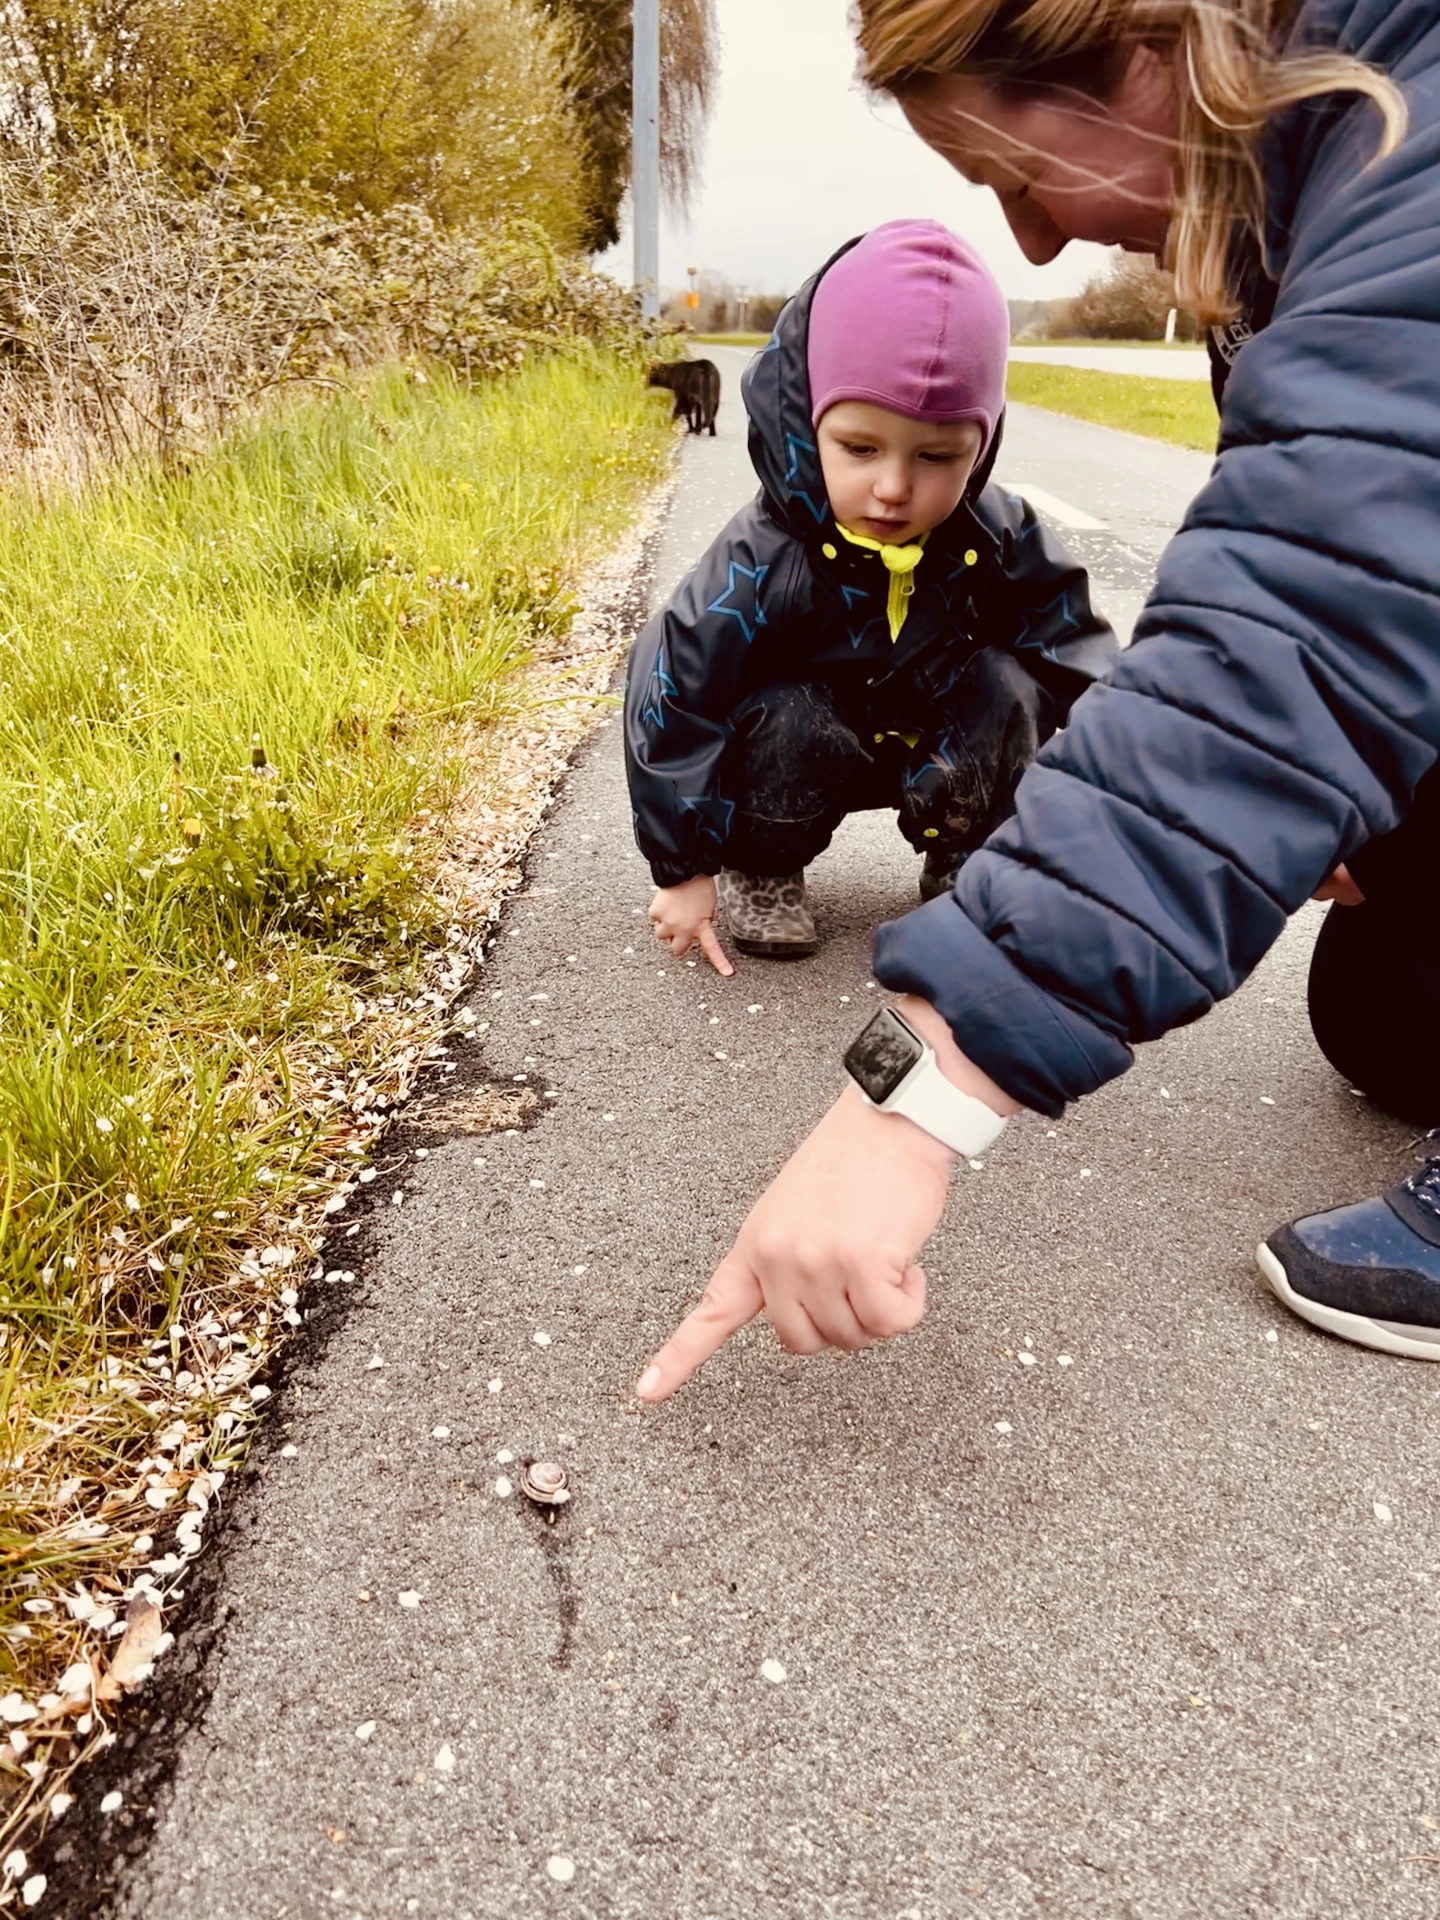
{"x": 239, "y": 709}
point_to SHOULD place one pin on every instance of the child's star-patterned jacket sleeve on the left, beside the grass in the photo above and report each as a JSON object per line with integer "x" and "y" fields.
{"x": 683, "y": 686}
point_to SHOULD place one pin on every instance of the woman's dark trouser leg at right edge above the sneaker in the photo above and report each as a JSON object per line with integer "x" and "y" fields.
{"x": 1376, "y": 972}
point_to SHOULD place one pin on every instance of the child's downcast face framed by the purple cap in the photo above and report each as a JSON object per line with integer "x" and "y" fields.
{"x": 892, "y": 477}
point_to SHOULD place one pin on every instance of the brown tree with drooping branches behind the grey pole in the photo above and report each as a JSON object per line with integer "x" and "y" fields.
{"x": 604, "y": 93}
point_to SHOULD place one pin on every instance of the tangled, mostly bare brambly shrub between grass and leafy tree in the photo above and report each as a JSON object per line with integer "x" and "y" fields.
{"x": 139, "y": 320}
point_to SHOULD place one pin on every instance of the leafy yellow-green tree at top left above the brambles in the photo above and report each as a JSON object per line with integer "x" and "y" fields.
{"x": 460, "y": 107}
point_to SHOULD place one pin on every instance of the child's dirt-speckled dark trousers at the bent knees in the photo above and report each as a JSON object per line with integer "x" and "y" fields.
{"x": 802, "y": 761}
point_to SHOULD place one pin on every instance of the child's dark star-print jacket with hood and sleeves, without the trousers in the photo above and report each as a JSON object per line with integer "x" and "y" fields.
{"x": 782, "y": 598}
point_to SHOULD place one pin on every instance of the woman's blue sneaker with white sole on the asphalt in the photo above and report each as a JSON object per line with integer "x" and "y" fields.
{"x": 1368, "y": 1272}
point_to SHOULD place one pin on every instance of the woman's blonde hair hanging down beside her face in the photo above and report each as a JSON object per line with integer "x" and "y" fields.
{"x": 1228, "y": 59}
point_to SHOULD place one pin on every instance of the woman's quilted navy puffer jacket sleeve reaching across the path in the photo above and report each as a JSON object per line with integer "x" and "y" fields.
{"x": 1282, "y": 700}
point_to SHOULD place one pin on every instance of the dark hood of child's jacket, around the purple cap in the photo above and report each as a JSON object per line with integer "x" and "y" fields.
{"x": 777, "y": 391}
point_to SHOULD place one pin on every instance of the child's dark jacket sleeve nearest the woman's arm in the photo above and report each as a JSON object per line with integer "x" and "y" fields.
{"x": 1038, "y": 604}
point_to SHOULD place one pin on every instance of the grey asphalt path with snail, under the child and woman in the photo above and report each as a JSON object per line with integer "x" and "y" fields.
{"x": 1109, "y": 1593}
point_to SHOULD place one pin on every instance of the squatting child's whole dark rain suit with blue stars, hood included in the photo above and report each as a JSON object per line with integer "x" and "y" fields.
{"x": 780, "y": 638}
